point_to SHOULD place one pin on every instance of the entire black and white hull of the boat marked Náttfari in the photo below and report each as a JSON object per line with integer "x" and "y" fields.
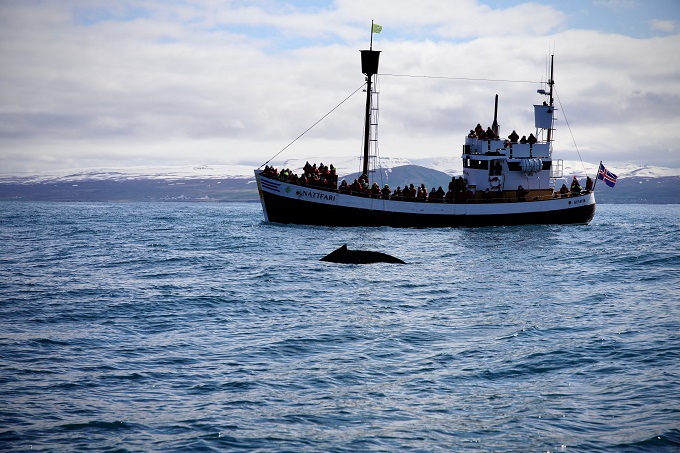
{"x": 287, "y": 203}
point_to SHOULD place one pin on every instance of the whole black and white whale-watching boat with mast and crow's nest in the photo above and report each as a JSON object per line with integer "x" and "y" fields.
{"x": 504, "y": 181}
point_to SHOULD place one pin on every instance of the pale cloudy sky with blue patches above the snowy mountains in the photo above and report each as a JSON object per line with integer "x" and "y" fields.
{"x": 90, "y": 83}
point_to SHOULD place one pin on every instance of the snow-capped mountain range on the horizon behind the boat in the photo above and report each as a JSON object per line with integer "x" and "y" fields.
{"x": 636, "y": 184}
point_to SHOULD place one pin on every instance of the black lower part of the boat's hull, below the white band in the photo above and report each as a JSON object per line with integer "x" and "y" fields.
{"x": 286, "y": 210}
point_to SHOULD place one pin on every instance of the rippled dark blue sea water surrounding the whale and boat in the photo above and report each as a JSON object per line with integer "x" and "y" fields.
{"x": 199, "y": 327}
